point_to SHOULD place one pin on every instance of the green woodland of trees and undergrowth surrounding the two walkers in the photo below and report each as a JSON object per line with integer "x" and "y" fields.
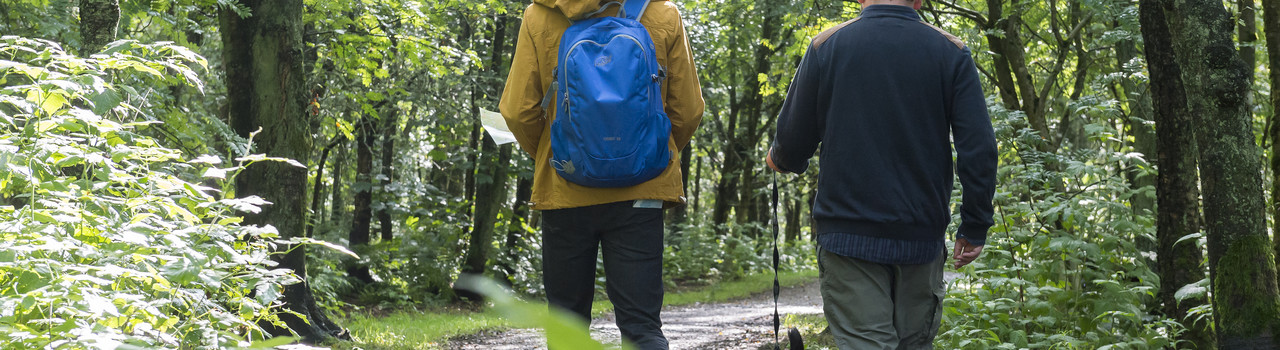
{"x": 143, "y": 140}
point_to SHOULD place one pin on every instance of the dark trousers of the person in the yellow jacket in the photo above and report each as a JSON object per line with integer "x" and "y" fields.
{"x": 632, "y": 239}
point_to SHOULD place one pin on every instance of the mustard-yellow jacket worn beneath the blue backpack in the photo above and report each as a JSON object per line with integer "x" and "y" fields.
{"x": 531, "y": 78}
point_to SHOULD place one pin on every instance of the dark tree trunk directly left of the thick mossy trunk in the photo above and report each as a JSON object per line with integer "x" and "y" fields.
{"x": 1177, "y": 193}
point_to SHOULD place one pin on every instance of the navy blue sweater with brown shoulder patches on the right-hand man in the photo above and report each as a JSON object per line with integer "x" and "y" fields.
{"x": 886, "y": 97}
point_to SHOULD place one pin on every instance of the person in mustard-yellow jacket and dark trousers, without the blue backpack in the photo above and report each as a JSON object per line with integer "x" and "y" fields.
{"x": 627, "y": 222}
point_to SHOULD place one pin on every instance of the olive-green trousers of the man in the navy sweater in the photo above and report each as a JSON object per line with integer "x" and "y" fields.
{"x": 874, "y": 307}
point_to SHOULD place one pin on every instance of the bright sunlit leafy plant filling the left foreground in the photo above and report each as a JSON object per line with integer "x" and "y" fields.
{"x": 109, "y": 240}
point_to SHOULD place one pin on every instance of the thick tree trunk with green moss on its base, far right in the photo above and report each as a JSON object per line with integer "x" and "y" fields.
{"x": 1242, "y": 263}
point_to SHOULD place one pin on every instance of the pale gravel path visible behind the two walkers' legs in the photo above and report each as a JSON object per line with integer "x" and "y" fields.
{"x": 746, "y": 324}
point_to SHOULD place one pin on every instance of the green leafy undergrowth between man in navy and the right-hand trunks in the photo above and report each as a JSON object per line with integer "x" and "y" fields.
{"x": 1062, "y": 269}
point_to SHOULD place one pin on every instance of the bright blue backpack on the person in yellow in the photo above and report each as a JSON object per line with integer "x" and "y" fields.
{"x": 610, "y": 129}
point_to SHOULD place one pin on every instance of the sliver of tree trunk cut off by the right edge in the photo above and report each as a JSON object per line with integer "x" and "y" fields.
{"x": 1272, "y": 29}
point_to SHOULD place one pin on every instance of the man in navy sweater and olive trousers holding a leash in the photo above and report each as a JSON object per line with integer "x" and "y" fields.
{"x": 886, "y": 96}
